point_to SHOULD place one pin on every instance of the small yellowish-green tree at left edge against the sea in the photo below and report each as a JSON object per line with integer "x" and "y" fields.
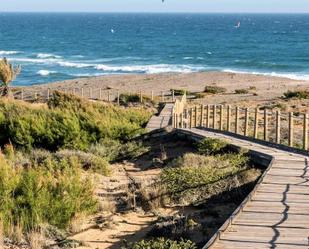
{"x": 7, "y": 74}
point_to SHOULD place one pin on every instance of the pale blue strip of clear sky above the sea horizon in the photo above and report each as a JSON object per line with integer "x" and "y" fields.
{"x": 287, "y": 6}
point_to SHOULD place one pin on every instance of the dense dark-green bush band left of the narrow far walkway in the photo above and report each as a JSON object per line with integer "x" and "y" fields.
{"x": 68, "y": 122}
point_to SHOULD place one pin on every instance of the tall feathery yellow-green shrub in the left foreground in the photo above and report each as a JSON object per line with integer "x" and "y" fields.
{"x": 53, "y": 192}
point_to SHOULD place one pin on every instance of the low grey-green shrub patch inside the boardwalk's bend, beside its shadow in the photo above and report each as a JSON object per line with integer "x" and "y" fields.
{"x": 193, "y": 178}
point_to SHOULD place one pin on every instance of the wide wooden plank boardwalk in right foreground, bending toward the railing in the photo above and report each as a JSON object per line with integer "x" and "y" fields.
{"x": 277, "y": 215}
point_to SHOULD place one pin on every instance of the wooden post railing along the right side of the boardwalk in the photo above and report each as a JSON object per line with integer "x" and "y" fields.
{"x": 290, "y": 129}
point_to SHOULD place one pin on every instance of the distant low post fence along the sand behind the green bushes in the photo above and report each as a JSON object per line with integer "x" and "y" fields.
{"x": 110, "y": 95}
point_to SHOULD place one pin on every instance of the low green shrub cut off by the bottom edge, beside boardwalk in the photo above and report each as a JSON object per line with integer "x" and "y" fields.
{"x": 161, "y": 243}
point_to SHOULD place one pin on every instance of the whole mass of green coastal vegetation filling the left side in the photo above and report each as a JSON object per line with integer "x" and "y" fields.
{"x": 49, "y": 154}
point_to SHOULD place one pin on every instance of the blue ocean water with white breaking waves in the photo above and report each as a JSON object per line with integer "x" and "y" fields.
{"x": 53, "y": 47}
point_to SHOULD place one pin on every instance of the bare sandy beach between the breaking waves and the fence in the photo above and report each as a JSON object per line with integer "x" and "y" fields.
{"x": 265, "y": 87}
